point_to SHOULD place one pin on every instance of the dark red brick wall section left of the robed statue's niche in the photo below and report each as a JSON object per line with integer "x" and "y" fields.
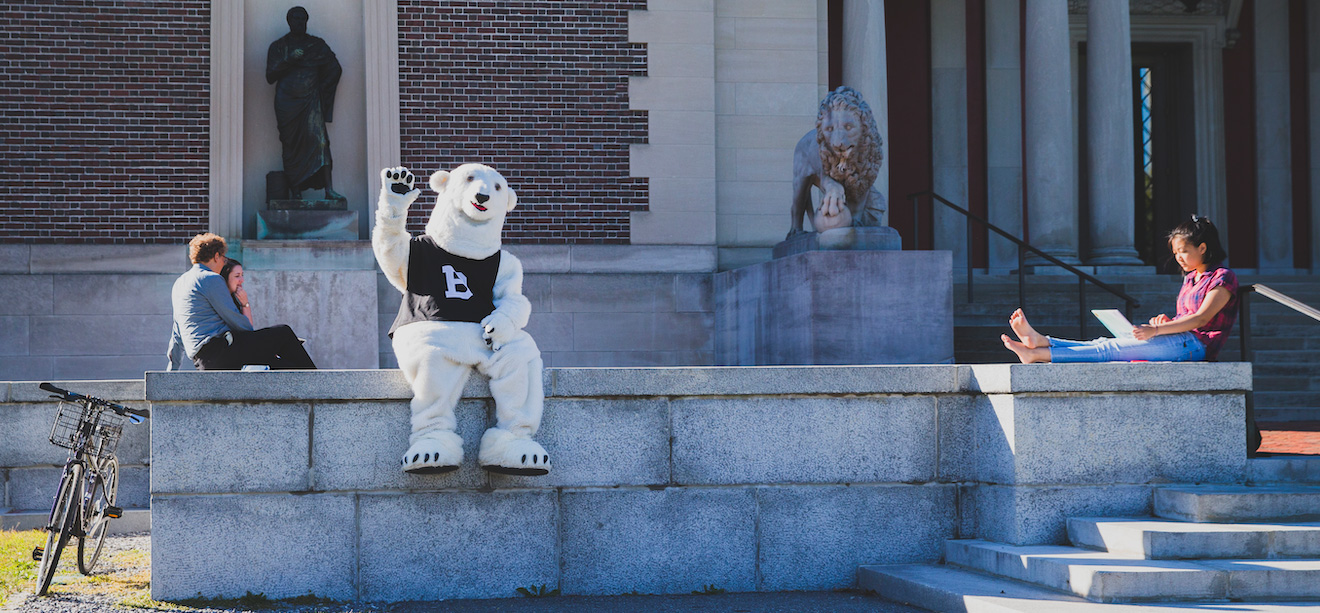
{"x": 104, "y": 121}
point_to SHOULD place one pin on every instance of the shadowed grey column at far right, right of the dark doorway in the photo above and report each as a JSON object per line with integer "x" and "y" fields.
{"x": 1273, "y": 137}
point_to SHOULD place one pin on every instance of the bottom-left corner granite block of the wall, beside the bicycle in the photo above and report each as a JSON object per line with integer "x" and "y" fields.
{"x": 277, "y": 545}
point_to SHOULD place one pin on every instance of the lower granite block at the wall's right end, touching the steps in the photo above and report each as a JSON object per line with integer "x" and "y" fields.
{"x": 1038, "y": 515}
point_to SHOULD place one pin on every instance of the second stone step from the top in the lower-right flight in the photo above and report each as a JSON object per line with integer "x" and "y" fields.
{"x": 1165, "y": 540}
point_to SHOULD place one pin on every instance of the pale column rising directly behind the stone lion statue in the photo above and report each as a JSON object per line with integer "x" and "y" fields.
{"x": 865, "y": 71}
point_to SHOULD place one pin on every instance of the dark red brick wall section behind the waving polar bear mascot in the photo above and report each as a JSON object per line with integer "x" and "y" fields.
{"x": 538, "y": 90}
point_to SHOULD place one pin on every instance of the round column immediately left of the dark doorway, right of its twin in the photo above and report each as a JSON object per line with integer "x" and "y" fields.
{"x": 1109, "y": 134}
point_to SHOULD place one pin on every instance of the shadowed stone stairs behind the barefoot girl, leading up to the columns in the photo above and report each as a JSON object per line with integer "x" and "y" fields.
{"x": 1286, "y": 344}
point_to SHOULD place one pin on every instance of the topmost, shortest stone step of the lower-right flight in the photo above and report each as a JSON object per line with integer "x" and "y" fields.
{"x": 1218, "y": 504}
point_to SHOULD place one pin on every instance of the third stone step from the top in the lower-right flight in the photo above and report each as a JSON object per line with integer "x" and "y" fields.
{"x": 1117, "y": 578}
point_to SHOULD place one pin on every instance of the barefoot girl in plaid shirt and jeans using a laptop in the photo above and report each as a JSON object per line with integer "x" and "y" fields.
{"x": 1207, "y": 308}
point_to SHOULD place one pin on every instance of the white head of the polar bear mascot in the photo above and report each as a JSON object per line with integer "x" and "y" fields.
{"x": 471, "y": 211}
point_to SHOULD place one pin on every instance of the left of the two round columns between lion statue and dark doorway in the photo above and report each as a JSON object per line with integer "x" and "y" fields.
{"x": 1051, "y": 184}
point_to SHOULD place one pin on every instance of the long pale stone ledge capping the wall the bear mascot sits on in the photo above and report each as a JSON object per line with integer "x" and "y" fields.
{"x": 704, "y": 381}
